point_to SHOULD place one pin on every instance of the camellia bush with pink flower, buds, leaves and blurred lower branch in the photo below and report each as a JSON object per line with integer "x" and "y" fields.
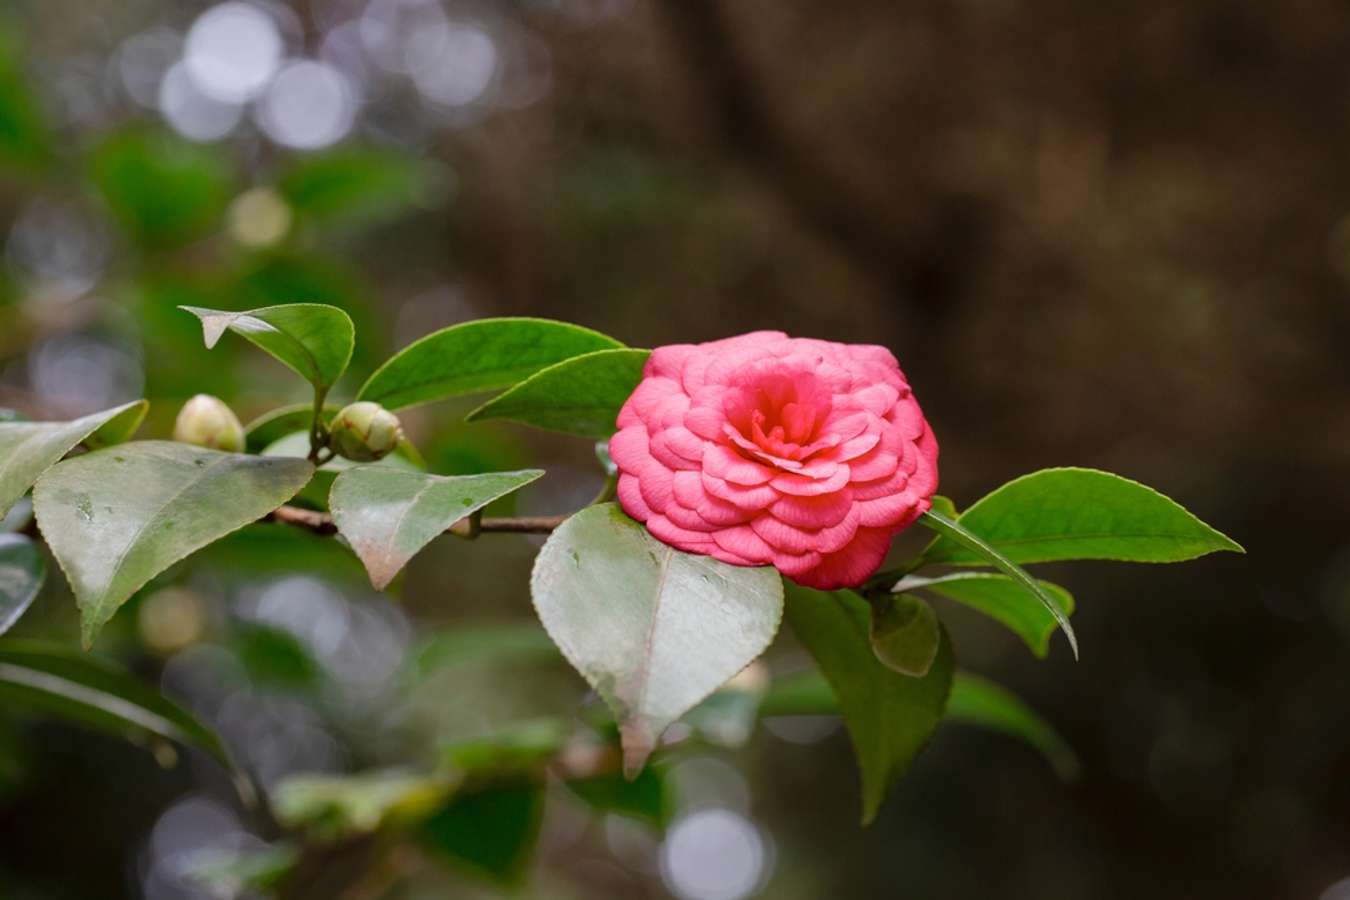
{"x": 749, "y": 481}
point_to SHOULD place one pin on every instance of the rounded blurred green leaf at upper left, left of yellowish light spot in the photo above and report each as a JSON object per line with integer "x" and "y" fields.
{"x": 163, "y": 190}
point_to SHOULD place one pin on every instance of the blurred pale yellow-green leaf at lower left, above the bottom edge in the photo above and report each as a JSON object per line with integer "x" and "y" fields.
{"x": 331, "y": 808}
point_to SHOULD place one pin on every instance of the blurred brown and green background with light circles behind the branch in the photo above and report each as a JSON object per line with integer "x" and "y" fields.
{"x": 1109, "y": 235}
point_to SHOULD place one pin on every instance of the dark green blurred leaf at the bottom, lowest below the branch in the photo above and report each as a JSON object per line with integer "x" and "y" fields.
{"x": 491, "y": 832}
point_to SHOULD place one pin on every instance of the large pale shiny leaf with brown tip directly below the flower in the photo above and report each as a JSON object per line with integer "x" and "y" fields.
{"x": 653, "y": 629}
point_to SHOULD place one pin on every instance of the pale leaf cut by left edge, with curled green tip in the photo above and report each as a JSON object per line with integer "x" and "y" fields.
{"x": 28, "y": 450}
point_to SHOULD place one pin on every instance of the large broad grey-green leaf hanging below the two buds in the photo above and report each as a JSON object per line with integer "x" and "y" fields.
{"x": 118, "y": 517}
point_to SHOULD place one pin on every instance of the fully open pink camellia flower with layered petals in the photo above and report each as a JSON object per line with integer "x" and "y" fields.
{"x": 772, "y": 450}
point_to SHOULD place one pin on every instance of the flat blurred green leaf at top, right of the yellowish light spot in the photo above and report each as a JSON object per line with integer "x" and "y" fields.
{"x": 358, "y": 186}
